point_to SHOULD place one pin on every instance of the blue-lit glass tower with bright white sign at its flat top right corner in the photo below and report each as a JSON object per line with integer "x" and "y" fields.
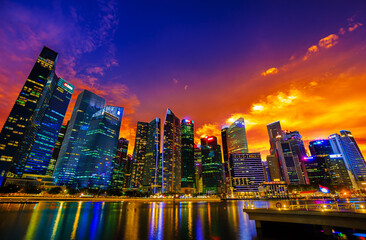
{"x": 95, "y": 168}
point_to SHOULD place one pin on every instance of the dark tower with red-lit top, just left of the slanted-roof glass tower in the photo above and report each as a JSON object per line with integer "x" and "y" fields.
{"x": 212, "y": 172}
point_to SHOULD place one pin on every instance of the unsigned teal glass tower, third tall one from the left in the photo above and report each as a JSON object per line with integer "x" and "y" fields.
{"x": 87, "y": 103}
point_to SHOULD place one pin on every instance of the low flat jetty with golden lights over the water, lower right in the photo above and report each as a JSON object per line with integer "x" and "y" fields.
{"x": 327, "y": 215}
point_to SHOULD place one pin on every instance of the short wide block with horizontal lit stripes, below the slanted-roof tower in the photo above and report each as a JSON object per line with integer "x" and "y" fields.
{"x": 246, "y": 173}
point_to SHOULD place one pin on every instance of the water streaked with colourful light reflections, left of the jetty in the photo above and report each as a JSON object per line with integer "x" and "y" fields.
{"x": 126, "y": 220}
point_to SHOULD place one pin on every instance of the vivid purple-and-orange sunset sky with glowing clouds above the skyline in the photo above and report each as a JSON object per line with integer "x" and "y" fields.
{"x": 300, "y": 62}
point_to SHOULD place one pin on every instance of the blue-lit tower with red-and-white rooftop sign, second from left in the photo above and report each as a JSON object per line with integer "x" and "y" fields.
{"x": 35, "y": 151}
